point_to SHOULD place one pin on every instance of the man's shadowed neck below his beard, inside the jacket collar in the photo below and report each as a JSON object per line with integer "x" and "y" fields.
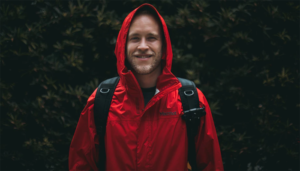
{"x": 148, "y": 80}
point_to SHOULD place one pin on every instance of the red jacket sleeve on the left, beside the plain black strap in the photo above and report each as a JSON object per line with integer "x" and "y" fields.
{"x": 83, "y": 154}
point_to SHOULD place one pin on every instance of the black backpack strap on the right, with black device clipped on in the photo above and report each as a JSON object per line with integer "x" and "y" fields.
{"x": 192, "y": 114}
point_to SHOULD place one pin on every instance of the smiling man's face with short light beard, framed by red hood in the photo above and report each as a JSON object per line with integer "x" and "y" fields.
{"x": 144, "y": 45}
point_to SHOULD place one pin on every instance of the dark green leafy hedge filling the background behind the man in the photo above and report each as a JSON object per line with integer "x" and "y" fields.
{"x": 243, "y": 55}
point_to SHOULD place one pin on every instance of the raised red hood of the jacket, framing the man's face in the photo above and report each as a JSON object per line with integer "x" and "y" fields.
{"x": 166, "y": 78}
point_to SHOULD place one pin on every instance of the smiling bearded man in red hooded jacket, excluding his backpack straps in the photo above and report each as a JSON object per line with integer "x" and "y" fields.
{"x": 144, "y": 128}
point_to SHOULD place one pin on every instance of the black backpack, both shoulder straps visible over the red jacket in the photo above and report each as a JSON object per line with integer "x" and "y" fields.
{"x": 191, "y": 108}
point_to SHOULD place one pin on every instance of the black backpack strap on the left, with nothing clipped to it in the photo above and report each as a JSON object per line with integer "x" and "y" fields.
{"x": 102, "y": 103}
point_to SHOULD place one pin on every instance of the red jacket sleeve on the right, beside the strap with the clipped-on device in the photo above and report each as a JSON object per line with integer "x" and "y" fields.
{"x": 207, "y": 144}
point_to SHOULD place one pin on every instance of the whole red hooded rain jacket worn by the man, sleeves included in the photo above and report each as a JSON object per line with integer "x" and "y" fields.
{"x": 140, "y": 137}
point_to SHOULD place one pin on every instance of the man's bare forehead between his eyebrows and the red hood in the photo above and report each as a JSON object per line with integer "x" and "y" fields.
{"x": 144, "y": 23}
